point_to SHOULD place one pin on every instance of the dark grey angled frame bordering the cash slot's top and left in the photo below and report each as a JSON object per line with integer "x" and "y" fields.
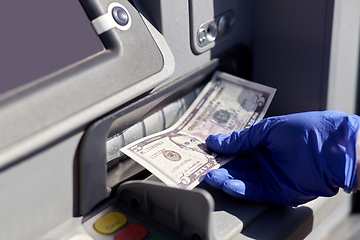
{"x": 90, "y": 175}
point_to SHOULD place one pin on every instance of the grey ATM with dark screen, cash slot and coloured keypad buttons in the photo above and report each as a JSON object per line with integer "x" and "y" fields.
{"x": 81, "y": 79}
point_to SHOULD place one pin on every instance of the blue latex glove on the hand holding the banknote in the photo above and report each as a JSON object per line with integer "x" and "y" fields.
{"x": 289, "y": 159}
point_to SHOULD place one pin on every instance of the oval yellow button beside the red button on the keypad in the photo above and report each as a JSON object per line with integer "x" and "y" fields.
{"x": 110, "y": 223}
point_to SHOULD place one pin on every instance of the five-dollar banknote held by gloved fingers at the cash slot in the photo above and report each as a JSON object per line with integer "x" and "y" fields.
{"x": 178, "y": 156}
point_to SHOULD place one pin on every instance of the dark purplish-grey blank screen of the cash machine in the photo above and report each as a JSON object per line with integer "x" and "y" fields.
{"x": 39, "y": 37}
